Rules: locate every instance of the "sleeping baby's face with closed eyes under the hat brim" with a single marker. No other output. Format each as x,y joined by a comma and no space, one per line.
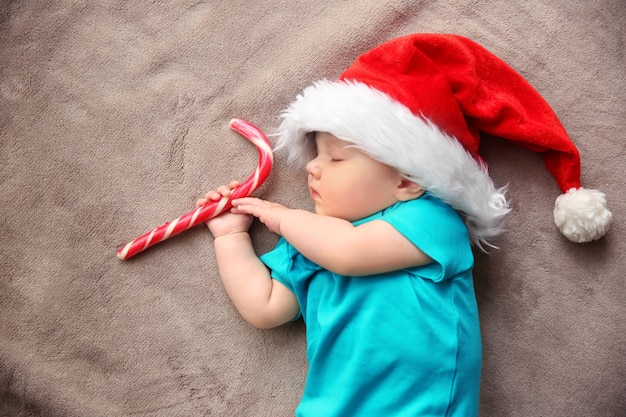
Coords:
346,183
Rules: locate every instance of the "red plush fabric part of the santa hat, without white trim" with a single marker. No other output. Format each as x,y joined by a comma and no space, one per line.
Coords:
463,88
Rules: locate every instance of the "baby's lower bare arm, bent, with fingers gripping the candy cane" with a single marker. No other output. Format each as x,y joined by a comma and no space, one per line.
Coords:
261,300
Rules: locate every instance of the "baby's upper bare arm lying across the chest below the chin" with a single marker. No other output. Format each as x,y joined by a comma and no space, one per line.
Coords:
335,244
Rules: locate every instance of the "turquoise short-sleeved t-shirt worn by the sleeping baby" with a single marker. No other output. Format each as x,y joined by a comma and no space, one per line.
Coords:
404,343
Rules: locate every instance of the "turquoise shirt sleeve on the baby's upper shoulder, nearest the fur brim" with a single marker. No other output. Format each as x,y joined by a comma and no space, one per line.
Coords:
437,230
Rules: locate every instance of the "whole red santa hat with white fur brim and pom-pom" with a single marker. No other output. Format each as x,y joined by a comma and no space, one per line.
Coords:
418,103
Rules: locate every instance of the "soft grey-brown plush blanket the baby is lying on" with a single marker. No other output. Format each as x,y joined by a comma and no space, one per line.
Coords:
114,119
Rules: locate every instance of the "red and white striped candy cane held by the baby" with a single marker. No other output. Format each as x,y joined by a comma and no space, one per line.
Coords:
212,208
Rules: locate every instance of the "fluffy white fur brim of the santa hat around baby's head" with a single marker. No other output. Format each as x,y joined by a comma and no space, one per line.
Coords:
390,133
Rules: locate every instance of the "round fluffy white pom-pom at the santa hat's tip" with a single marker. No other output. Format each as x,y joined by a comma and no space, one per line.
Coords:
581,215
